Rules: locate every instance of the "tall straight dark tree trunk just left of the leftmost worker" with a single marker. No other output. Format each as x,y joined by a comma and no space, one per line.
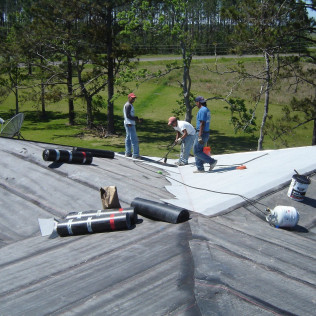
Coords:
110,112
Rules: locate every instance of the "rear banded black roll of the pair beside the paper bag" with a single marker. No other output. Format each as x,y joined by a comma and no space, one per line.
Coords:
99,213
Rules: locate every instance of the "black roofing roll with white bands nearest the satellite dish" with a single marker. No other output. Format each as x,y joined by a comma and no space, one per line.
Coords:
67,156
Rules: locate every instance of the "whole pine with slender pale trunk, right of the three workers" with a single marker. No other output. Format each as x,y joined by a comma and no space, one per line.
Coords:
270,29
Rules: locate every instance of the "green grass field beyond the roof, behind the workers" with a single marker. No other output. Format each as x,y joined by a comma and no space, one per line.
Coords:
155,102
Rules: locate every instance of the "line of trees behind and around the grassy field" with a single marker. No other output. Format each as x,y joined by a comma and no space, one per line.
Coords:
45,44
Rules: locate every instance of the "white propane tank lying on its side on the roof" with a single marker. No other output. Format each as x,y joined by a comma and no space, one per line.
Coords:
283,216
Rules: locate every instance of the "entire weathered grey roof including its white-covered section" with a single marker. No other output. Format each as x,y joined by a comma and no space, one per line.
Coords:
230,262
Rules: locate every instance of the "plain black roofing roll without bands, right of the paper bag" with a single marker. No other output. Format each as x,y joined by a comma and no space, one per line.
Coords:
160,211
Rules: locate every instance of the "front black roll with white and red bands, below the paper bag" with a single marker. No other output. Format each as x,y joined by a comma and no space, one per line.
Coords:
93,224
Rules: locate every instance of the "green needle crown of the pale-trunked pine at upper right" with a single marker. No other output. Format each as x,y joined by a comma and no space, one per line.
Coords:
266,25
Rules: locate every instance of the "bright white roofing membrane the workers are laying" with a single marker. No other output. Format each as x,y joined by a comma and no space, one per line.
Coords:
264,170
